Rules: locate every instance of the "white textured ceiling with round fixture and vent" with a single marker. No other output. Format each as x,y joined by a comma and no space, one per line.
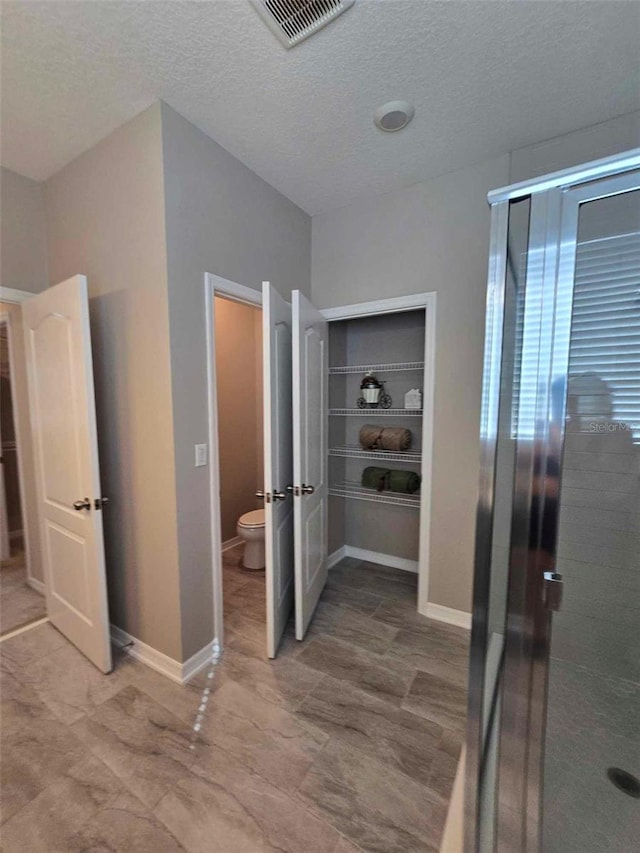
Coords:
485,77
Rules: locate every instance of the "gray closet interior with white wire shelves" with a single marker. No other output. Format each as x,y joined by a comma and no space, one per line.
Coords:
392,347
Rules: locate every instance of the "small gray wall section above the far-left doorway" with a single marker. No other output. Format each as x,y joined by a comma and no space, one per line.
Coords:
23,246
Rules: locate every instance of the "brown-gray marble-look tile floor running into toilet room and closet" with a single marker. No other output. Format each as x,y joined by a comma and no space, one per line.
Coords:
342,744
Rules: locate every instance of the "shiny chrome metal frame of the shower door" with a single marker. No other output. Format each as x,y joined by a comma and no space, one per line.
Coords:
553,232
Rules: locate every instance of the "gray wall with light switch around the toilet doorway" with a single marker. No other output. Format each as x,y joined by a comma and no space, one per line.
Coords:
220,218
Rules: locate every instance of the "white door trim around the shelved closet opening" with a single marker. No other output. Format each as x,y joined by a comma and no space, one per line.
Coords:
413,302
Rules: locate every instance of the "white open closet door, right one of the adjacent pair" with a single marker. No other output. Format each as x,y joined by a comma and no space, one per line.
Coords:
310,460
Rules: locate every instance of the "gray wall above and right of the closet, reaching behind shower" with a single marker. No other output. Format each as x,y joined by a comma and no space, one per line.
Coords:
435,236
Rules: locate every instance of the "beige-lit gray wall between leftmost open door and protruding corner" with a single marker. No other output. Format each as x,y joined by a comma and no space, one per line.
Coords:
105,219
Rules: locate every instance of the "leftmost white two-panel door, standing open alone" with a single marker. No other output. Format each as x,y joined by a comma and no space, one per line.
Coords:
63,419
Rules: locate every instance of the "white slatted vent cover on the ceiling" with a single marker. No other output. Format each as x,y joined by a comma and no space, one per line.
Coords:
292,21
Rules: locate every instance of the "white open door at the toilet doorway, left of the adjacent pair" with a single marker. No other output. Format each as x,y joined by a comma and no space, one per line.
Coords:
278,463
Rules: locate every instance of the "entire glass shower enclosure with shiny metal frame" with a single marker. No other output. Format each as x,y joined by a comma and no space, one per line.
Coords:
553,748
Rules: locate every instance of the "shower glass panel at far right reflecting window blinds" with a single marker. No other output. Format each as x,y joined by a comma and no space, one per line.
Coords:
593,701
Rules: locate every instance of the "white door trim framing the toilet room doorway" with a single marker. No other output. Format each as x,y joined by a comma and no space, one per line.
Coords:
214,284
